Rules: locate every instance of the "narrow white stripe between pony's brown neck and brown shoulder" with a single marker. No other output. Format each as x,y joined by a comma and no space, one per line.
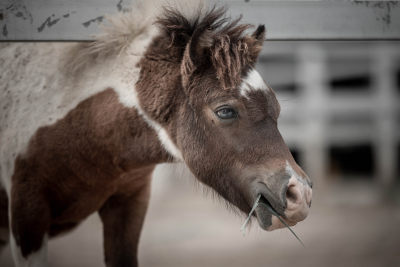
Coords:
129,98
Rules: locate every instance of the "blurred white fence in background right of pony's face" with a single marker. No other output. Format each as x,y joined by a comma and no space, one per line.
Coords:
309,116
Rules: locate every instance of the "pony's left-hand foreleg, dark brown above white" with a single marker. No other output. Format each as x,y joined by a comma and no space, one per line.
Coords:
30,220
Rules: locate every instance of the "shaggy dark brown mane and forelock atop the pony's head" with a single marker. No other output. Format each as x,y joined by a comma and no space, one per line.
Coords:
222,40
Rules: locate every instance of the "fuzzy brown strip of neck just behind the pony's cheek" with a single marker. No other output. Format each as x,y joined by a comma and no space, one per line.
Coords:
160,93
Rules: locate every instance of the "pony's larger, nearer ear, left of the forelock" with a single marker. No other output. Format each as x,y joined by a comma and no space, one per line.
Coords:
195,53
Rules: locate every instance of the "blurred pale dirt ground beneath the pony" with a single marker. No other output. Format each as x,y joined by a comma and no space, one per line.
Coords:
350,224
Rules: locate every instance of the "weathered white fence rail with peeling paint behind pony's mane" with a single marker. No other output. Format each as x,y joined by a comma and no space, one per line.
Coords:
66,20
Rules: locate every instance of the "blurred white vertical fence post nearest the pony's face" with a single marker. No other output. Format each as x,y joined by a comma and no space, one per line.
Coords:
311,77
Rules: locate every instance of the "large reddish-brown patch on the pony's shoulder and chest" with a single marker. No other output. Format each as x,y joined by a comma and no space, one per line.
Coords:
74,166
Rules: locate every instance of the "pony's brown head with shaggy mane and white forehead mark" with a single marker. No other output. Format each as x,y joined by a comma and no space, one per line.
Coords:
220,114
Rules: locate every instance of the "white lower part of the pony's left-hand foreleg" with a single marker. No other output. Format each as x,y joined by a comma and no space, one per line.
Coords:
35,259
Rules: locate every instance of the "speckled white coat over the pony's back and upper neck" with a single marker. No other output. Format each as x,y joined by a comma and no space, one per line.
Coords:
34,92
